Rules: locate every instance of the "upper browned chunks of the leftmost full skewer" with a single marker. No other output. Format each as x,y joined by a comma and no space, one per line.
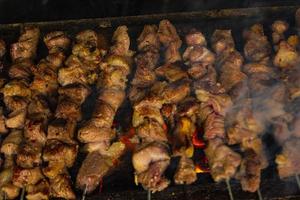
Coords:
16,92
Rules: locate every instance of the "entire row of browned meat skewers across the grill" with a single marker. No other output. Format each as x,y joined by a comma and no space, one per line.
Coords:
233,97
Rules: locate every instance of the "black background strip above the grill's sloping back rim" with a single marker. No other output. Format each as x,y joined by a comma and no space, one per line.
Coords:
13,11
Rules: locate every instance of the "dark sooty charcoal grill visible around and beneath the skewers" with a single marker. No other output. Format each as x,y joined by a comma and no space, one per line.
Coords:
120,184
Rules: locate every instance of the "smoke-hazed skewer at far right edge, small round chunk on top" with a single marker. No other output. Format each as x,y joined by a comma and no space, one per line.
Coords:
285,59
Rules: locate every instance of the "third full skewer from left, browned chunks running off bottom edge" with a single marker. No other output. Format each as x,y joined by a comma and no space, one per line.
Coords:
83,63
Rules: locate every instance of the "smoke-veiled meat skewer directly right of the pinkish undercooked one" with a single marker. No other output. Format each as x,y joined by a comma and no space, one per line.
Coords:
241,126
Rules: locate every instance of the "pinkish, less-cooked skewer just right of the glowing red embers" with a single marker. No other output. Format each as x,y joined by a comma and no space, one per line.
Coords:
214,104
